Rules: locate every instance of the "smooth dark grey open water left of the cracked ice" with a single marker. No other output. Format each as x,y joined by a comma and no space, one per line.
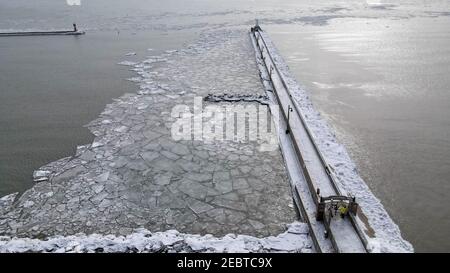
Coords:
51,87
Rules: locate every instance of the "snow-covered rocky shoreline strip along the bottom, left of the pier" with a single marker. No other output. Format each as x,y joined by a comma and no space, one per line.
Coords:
294,240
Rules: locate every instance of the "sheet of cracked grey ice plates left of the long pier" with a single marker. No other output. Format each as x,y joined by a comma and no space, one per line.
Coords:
134,175
